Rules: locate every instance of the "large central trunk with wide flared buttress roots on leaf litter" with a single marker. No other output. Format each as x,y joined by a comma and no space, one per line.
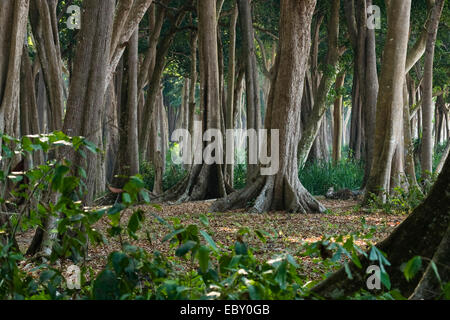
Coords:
283,190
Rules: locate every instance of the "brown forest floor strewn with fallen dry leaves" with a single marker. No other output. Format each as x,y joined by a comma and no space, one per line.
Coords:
287,231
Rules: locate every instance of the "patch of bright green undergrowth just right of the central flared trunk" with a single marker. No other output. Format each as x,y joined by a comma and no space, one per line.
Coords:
318,177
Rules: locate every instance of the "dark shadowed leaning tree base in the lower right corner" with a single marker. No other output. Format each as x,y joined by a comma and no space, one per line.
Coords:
424,233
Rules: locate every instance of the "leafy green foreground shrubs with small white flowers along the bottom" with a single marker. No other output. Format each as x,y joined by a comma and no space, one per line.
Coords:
215,271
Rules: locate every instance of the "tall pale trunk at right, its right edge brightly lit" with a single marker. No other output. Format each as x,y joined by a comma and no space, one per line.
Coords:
390,99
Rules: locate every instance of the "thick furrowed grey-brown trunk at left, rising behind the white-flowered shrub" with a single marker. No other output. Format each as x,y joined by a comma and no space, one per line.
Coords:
85,102
